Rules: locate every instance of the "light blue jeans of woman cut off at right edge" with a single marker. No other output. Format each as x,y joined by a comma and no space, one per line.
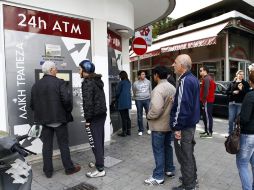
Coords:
243,158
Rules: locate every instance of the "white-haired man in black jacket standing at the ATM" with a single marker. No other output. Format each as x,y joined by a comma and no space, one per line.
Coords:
51,101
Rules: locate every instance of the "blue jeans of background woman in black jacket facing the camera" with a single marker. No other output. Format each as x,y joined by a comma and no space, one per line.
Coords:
234,110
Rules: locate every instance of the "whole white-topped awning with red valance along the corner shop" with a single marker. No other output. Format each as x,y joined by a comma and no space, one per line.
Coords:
203,37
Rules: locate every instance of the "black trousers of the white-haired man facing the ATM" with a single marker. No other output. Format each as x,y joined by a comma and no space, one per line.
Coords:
63,144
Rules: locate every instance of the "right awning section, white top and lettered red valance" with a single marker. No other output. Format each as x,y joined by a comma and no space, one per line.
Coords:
203,37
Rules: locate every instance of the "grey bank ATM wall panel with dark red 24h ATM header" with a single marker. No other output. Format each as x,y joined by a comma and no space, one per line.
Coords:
32,37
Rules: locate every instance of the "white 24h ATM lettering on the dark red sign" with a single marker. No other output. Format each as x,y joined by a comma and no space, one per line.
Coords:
38,22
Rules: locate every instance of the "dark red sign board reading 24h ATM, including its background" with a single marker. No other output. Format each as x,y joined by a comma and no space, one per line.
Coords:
32,21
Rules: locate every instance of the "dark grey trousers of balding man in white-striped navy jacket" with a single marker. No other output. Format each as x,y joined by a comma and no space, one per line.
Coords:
184,150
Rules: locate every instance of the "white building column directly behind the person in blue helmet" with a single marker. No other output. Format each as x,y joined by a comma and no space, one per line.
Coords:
100,59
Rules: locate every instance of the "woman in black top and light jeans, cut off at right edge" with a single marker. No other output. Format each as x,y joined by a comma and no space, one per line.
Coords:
246,154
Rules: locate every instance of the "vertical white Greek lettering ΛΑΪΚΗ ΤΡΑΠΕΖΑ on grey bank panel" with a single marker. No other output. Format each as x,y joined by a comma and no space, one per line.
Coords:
21,80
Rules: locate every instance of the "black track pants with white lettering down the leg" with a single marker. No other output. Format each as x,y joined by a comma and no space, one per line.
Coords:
96,136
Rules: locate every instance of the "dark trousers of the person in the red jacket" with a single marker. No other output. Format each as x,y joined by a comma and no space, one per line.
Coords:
207,116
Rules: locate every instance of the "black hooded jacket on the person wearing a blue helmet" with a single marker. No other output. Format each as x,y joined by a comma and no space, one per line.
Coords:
94,103
